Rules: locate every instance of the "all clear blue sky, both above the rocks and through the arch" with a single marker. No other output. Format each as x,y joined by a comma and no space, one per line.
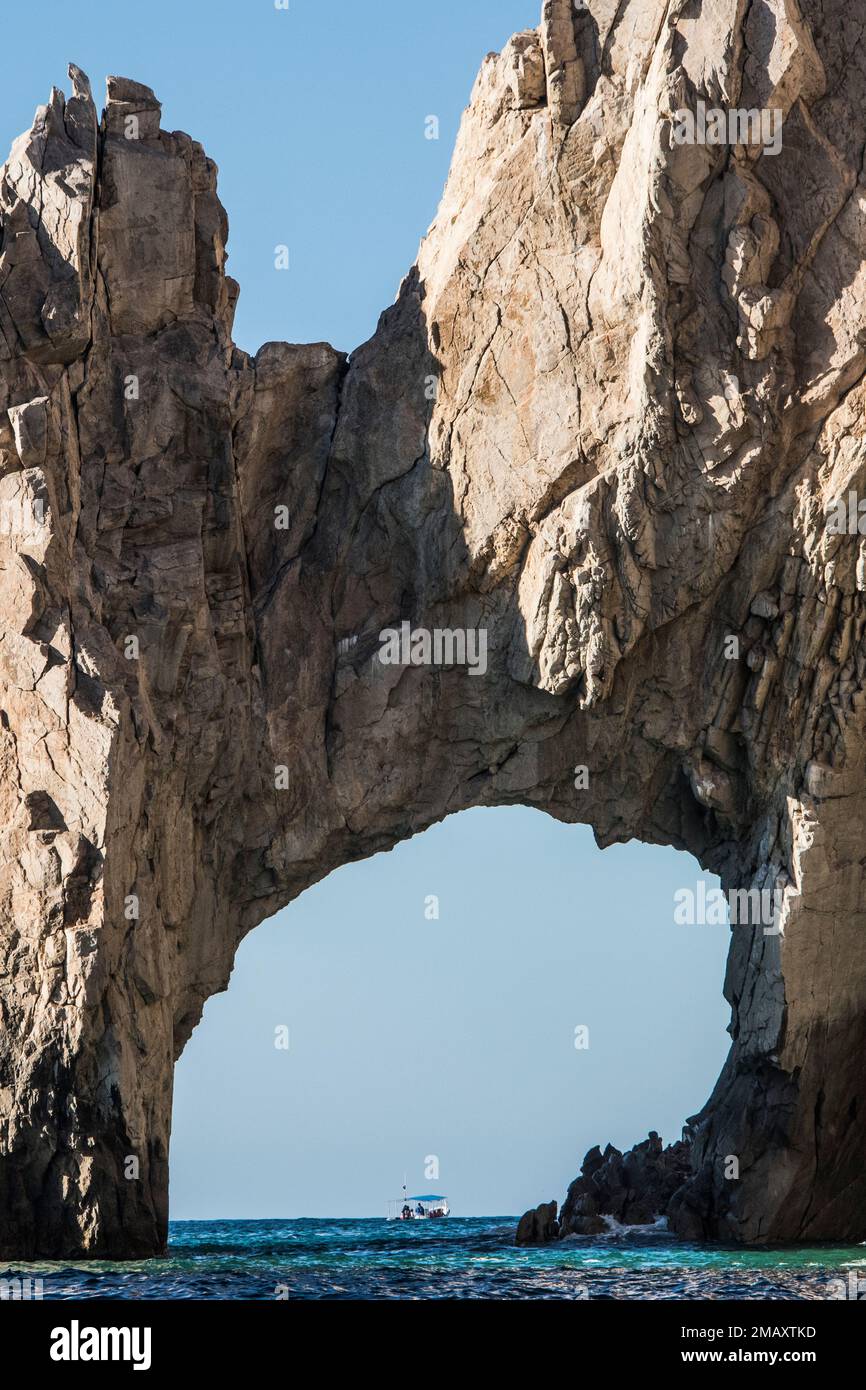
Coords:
408,1038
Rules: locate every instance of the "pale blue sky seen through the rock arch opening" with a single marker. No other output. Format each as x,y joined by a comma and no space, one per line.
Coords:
477,1008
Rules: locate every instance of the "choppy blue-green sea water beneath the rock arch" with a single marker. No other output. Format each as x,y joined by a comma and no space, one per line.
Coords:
452,1259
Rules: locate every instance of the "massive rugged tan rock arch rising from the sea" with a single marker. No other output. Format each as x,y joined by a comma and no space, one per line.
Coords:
604,423
